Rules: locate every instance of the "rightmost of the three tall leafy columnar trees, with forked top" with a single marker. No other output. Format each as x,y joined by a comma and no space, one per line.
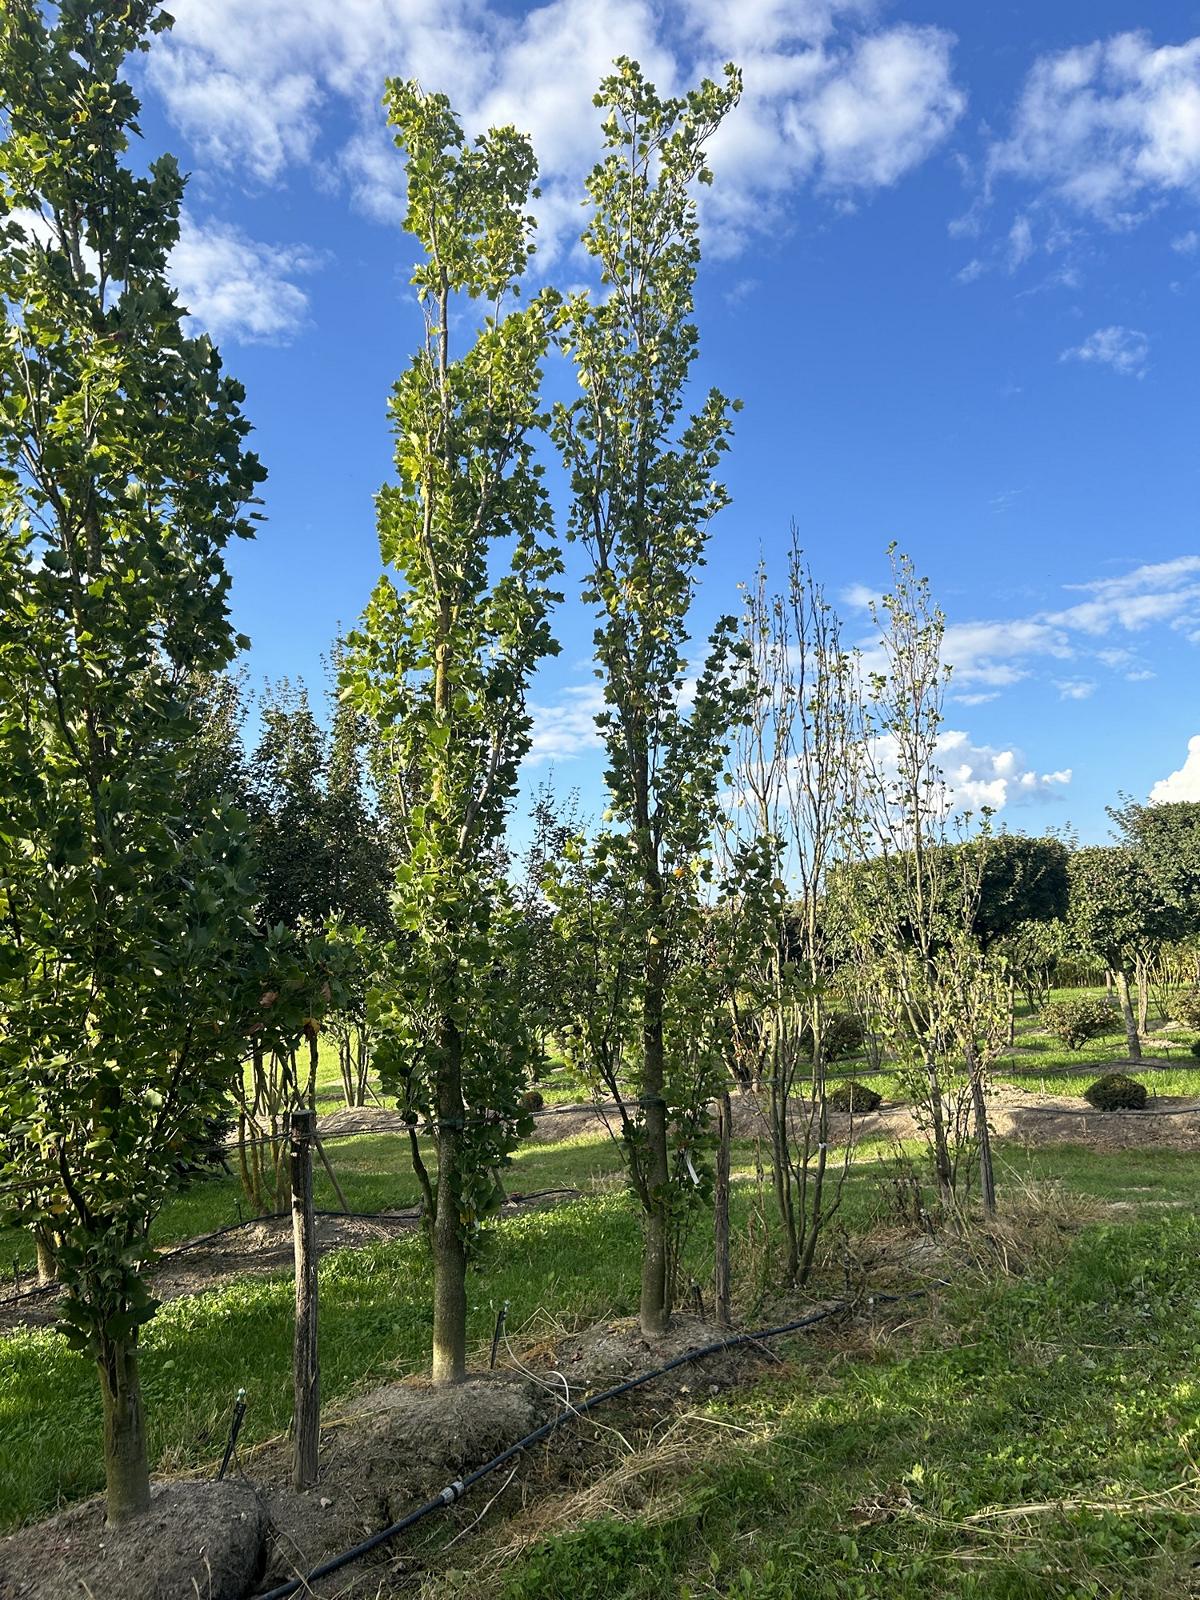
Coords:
642,500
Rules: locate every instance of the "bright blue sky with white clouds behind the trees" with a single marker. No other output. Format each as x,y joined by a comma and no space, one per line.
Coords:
953,270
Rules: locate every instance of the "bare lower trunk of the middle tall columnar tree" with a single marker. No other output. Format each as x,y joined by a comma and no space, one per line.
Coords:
450,1254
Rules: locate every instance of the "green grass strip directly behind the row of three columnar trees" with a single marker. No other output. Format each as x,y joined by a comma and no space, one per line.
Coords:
578,1262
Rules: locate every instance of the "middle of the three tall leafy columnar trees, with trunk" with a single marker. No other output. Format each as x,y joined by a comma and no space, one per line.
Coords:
442,663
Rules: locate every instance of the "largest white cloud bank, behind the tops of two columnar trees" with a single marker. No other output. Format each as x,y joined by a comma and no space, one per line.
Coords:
260,89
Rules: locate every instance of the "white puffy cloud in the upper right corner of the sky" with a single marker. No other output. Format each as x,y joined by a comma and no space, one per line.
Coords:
1110,129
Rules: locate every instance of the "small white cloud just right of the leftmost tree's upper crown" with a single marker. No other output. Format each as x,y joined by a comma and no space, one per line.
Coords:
239,289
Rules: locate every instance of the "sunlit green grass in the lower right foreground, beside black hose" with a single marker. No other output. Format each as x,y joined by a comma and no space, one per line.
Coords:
1078,1385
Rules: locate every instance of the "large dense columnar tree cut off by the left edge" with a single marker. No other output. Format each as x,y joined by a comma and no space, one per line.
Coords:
124,474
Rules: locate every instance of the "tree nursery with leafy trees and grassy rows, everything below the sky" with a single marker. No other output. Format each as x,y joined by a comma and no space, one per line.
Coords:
783,1182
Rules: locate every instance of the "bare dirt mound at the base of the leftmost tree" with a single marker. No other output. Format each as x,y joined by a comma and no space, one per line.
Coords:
199,1542
